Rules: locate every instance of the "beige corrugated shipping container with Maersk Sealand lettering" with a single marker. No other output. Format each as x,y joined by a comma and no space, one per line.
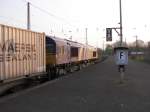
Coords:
22,53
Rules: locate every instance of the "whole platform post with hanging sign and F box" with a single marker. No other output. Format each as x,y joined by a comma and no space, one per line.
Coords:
121,53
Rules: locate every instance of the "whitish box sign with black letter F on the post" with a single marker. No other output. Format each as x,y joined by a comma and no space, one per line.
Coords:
121,57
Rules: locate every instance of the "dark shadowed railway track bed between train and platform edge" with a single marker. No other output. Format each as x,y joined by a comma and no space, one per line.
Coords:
27,83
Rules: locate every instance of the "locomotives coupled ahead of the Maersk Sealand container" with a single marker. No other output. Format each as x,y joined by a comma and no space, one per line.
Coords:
62,54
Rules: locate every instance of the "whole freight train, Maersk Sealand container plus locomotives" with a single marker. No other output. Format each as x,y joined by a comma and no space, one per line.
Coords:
25,53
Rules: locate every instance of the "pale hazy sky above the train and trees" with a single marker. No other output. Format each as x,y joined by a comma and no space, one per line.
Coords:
69,18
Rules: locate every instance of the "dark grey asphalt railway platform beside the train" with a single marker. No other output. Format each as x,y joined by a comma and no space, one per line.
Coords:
93,89
